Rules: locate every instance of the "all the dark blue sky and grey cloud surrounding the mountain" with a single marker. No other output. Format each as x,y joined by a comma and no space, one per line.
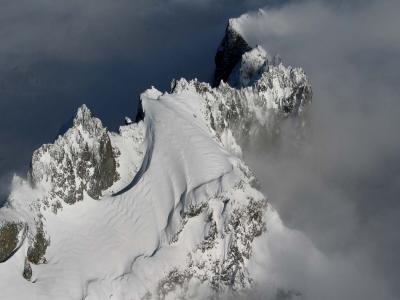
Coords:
340,189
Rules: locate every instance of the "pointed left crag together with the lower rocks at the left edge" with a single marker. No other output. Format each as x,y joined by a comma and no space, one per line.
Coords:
80,161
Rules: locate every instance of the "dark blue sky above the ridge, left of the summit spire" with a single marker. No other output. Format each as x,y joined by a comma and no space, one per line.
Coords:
56,55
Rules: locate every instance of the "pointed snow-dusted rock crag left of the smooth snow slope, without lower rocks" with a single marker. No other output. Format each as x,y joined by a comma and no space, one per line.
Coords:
82,160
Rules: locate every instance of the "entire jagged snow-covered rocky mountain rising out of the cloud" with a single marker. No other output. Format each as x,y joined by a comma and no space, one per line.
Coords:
166,207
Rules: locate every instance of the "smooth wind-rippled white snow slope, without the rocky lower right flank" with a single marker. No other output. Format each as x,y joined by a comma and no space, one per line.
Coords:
122,246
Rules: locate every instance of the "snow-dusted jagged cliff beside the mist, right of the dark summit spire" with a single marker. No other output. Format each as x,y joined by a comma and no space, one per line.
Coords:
267,93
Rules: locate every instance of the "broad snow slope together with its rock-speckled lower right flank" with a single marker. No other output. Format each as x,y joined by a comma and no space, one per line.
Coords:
189,219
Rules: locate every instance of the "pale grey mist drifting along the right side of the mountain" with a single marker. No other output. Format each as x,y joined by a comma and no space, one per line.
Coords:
340,185
